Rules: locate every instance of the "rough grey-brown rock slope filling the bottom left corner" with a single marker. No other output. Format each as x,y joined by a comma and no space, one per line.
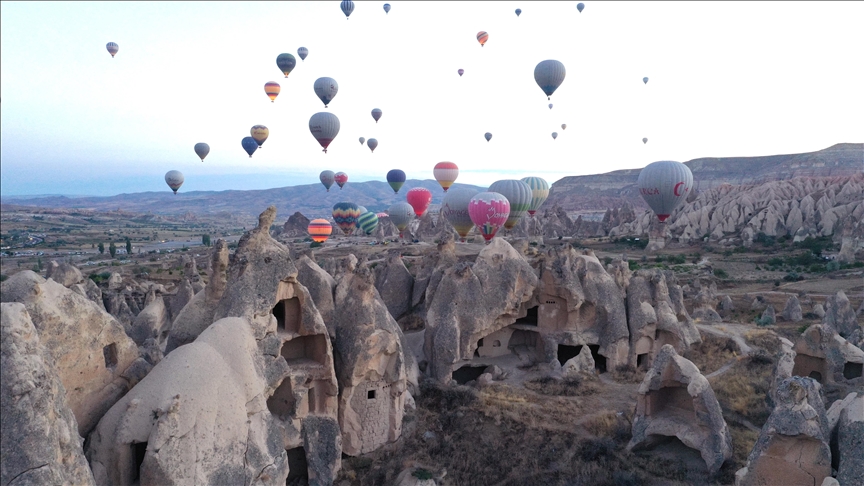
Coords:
40,443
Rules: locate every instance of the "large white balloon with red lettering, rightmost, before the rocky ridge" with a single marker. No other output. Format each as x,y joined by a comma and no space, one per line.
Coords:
664,185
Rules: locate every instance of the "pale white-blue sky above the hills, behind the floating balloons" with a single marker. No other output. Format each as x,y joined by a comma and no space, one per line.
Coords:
725,79
